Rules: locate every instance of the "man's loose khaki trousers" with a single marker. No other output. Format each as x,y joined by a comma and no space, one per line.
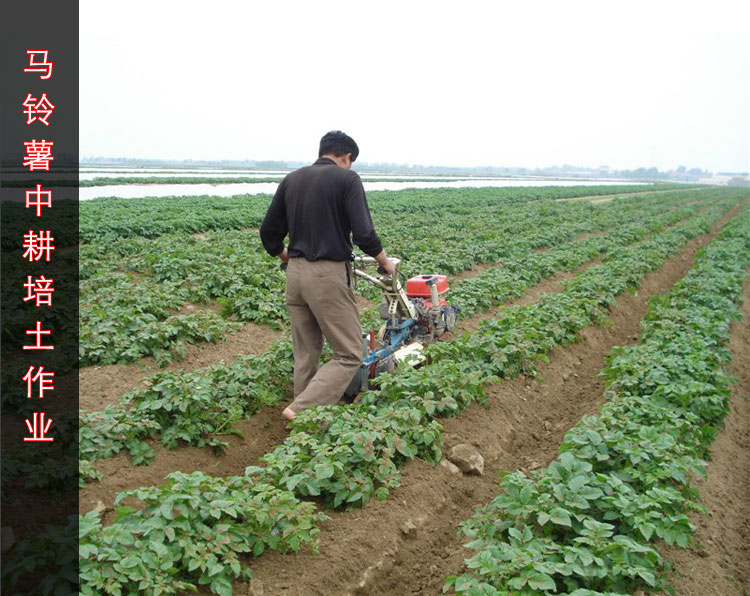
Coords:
321,304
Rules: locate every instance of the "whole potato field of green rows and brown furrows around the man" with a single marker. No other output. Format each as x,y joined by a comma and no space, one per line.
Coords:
597,374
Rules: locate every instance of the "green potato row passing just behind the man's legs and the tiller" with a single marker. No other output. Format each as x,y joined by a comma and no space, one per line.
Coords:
182,405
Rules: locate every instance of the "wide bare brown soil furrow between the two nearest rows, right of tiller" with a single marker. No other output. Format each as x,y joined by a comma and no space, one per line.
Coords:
365,551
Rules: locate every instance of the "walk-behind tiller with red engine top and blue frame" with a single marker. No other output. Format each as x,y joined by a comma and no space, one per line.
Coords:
413,318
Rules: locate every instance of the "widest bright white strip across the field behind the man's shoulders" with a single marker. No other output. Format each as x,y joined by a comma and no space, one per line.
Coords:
131,191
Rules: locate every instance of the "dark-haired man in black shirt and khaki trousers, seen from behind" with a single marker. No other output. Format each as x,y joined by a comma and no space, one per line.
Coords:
319,206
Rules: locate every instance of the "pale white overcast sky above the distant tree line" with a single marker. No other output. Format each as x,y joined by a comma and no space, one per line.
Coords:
491,83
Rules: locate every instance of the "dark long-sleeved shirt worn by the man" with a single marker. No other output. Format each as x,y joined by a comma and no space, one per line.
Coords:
319,206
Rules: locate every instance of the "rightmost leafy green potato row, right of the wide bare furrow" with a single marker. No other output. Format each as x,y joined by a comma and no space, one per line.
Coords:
587,523
